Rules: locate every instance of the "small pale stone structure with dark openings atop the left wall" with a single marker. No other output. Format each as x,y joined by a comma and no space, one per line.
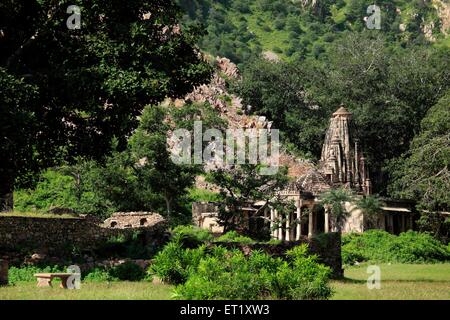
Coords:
124,220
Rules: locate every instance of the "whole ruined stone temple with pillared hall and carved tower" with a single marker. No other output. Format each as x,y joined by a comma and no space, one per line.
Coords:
342,164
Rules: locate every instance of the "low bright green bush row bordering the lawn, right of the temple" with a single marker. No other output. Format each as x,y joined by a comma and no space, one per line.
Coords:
380,246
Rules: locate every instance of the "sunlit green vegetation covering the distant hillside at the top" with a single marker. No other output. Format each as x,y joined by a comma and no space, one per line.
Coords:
295,30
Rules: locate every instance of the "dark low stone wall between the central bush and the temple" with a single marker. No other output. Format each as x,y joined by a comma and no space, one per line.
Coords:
326,246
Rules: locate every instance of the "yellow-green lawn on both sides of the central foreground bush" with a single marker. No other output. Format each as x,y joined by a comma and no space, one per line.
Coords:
398,281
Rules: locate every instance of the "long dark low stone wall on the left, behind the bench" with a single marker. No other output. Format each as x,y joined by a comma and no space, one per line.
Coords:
62,236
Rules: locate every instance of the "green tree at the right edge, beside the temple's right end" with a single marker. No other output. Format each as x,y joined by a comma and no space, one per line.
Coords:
422,173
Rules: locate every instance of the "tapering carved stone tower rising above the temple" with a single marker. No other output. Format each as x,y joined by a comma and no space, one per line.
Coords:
342,162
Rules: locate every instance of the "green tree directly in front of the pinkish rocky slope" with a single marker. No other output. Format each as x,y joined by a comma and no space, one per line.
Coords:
154,169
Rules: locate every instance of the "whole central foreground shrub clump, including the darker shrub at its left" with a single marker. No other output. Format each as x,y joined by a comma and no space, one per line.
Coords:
218,273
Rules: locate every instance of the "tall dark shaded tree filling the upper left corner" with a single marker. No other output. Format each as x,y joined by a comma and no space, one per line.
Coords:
75,89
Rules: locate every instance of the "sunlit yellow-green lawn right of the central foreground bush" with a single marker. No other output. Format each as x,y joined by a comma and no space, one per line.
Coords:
398,282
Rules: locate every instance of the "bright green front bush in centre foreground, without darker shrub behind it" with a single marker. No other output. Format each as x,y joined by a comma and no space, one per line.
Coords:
229,274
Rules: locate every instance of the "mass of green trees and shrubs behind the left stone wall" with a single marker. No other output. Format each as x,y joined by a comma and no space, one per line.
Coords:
142,177
